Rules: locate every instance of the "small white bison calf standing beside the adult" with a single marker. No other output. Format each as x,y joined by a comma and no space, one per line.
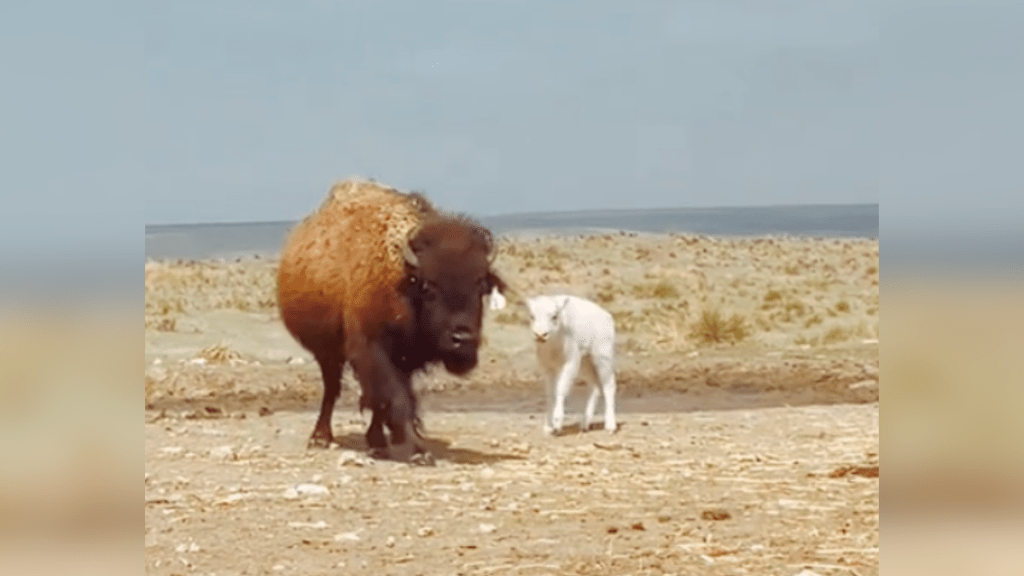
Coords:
575,337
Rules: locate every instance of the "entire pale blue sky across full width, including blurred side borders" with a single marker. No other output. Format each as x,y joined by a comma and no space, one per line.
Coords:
116,111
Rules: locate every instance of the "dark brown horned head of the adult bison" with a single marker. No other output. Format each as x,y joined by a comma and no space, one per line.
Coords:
448,275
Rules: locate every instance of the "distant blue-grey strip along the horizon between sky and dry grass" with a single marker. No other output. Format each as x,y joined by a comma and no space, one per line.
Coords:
246,239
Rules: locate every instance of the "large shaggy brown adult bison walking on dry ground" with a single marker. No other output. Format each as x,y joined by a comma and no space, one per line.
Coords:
385,281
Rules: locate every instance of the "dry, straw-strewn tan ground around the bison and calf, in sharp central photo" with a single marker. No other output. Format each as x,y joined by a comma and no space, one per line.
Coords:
749,387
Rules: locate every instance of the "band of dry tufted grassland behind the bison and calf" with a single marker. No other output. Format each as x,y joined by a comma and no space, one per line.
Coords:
786,292
